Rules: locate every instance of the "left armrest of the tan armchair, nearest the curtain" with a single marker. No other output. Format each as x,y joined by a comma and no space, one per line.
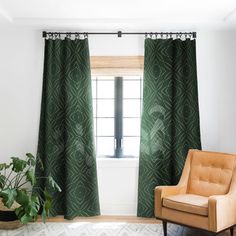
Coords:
165,191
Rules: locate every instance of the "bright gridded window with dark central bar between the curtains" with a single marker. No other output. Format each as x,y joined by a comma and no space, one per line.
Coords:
117,104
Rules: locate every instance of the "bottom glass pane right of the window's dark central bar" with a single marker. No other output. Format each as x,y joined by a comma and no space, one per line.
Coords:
131,146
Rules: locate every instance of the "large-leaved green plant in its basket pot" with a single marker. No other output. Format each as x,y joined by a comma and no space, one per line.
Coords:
21,199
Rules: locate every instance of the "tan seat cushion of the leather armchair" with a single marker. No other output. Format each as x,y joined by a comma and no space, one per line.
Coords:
190,203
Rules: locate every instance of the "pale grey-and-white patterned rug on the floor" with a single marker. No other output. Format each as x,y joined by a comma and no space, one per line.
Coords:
100,229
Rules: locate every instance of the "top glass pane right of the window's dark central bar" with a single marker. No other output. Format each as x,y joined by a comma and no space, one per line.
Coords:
131,89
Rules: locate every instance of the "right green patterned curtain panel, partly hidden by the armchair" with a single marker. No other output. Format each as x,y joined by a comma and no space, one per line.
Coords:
170,116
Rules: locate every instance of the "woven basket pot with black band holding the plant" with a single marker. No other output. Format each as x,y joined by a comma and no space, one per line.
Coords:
8,218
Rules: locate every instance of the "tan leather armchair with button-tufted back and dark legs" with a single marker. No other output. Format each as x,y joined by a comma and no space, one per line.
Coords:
205,196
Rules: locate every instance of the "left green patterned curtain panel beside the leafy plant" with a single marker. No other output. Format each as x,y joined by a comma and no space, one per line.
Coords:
66,141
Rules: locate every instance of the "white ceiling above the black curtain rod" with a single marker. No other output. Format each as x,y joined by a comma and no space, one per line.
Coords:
129,15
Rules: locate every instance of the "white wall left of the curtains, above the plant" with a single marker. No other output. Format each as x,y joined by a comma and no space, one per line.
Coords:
21,63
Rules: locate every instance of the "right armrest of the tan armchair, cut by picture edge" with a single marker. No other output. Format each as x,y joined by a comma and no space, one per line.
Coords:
222,211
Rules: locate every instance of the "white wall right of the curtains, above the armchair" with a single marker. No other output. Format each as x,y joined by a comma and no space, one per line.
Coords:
217,90
